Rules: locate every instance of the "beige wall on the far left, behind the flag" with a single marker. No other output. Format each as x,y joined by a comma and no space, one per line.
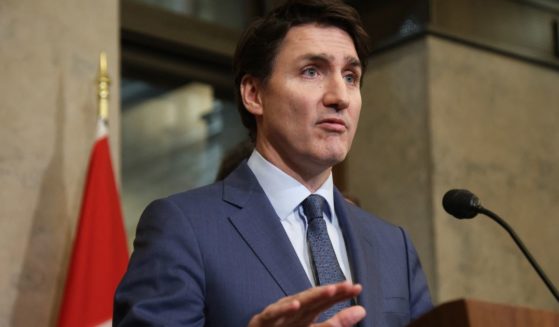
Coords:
48,64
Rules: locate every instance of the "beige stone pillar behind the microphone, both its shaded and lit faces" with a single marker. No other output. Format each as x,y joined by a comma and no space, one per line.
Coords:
439,115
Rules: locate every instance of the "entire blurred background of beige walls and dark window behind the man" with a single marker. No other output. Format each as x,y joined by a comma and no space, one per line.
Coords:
458,94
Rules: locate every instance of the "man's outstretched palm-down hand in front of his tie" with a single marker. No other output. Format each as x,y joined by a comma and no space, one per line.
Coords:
302,308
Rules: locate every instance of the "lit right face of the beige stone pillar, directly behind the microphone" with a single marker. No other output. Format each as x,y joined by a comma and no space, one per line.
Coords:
494,131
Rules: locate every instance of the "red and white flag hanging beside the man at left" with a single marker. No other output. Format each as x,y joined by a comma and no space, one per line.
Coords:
100,252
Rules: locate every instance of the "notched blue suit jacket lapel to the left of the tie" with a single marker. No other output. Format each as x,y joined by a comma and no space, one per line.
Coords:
261,229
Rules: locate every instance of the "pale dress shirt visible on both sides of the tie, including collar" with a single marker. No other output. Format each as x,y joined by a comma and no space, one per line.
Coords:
286,195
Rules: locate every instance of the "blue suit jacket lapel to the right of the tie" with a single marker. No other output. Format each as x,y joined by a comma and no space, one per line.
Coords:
363,258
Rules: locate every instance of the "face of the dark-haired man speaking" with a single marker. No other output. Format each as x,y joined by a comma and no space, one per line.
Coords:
307,111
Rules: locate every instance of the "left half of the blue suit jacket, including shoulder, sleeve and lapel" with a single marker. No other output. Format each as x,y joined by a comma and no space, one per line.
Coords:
213,256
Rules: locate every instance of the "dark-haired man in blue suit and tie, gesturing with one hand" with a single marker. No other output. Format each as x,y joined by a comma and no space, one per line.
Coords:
244,251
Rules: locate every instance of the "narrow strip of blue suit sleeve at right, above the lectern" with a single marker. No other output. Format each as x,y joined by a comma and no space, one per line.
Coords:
420,299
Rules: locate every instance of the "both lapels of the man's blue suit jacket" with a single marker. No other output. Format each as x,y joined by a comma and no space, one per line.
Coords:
260,227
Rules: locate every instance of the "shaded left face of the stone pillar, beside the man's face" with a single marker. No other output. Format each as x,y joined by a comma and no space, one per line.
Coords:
389,164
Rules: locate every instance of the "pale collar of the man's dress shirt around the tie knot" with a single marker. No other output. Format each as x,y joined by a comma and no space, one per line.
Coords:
285,192
